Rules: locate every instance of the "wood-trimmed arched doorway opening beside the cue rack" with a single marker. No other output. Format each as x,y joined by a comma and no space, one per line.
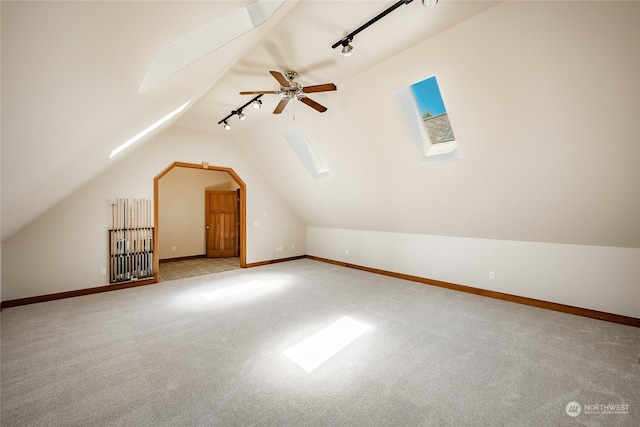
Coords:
182,224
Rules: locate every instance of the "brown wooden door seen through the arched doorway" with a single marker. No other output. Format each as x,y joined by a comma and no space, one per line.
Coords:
222,224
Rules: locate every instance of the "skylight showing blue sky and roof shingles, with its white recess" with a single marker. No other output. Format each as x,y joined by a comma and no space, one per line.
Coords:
428,121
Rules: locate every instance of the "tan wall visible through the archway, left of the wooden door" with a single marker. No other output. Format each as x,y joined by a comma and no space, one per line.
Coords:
181,209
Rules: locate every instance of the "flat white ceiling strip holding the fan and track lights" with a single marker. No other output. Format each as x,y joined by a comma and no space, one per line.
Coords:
302,42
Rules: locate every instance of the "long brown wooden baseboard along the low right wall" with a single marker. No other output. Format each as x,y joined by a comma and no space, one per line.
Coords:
578,311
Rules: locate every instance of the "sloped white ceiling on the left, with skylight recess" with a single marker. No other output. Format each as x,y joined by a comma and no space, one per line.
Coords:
71,74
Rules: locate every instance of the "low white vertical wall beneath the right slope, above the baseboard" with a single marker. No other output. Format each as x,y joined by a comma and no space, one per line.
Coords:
594,277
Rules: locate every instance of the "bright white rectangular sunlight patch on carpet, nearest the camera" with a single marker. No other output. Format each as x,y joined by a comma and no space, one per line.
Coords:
316,349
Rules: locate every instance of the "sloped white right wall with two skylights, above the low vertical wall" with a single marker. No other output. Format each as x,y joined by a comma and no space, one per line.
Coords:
544,99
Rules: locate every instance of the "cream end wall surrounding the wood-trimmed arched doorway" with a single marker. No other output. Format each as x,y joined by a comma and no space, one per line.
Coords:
63,249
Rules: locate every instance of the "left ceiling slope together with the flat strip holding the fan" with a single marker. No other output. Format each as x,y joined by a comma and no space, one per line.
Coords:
71,73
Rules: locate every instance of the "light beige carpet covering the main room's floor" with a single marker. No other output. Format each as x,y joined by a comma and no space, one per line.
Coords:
163,355
